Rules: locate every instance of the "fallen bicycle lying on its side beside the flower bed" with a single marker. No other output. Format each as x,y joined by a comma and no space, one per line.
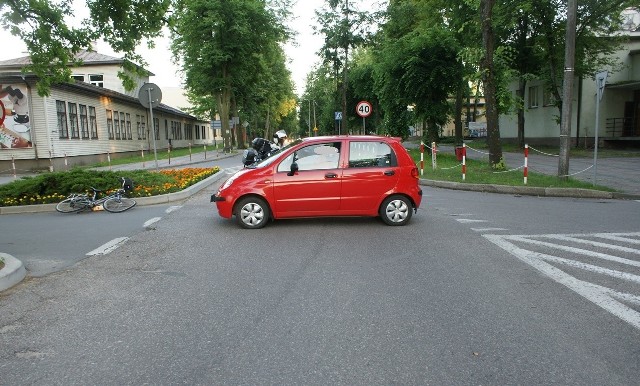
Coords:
115,202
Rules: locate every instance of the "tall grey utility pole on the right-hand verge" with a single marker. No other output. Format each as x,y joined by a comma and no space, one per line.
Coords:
567,89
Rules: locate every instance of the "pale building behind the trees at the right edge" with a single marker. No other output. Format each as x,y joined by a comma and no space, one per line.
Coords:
619,118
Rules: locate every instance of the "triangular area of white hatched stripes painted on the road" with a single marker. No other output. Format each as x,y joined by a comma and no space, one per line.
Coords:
602,267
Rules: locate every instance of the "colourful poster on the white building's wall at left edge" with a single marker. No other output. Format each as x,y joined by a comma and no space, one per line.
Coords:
15,125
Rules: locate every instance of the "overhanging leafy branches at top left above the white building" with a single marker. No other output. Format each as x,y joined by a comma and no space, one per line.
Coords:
52,43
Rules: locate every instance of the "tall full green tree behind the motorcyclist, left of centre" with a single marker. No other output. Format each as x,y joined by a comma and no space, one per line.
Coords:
222,44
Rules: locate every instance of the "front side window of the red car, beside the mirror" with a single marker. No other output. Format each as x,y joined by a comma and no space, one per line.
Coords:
313,157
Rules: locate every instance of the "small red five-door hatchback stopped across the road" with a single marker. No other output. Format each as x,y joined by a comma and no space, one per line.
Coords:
325,176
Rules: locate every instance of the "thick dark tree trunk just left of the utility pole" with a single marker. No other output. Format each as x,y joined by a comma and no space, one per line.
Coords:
489,80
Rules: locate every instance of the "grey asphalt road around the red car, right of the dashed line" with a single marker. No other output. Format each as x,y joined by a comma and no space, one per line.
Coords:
460,296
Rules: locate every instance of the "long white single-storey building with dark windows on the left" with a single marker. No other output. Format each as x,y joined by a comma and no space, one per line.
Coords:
86,121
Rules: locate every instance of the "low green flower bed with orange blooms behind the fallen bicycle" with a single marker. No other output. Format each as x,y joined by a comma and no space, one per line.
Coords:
54,187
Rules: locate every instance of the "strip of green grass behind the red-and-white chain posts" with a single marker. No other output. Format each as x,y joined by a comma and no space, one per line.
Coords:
479,172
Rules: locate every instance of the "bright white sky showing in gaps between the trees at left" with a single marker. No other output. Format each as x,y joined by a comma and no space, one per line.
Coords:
302,56
